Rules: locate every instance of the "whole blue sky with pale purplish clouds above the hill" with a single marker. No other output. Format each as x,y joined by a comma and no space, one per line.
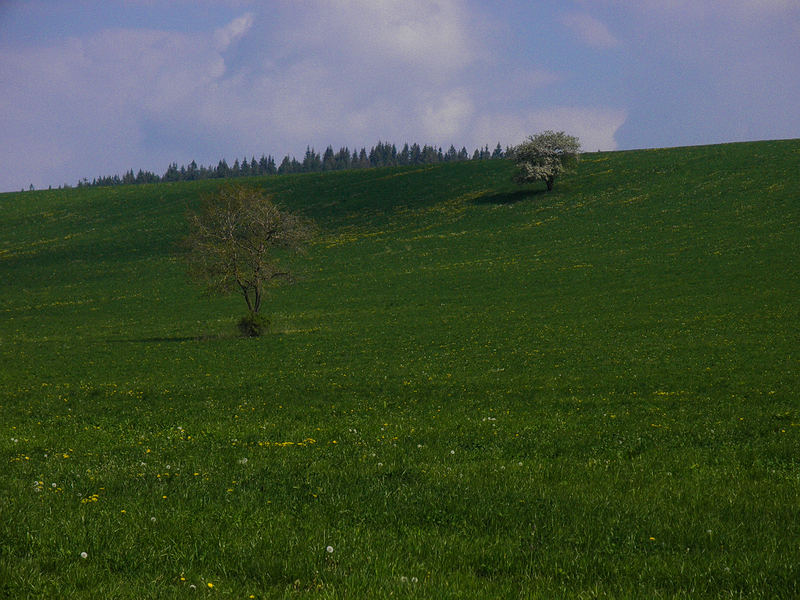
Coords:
90,88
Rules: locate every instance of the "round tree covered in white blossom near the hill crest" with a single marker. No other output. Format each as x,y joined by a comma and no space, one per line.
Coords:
545,156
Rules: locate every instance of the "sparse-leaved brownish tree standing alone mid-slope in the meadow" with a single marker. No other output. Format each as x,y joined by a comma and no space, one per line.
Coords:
239,241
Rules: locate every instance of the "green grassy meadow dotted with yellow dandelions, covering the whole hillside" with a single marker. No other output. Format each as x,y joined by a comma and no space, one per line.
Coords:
473,391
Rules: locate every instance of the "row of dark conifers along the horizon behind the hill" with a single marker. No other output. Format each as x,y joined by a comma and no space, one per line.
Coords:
381,155
